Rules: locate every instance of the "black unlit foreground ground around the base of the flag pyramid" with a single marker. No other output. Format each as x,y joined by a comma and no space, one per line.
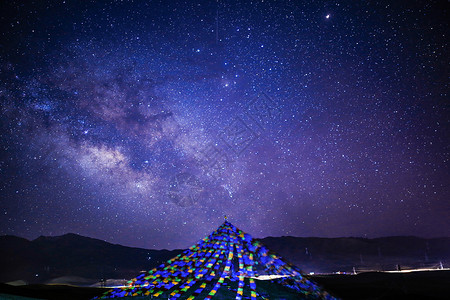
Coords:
415,285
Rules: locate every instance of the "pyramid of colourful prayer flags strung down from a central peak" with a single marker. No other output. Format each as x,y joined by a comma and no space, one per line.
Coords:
227,259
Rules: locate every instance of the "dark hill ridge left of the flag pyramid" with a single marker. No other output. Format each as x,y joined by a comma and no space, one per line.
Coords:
46,258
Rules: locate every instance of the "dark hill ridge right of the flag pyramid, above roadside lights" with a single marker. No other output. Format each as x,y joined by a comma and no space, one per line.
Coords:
342,254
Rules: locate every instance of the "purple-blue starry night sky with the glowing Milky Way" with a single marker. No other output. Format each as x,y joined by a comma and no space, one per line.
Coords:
145,122
